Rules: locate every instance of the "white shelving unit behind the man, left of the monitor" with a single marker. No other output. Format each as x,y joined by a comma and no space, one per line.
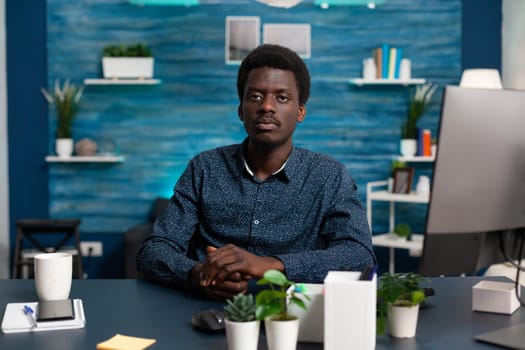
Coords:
378,191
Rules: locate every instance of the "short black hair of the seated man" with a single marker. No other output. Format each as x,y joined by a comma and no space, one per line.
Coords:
279,57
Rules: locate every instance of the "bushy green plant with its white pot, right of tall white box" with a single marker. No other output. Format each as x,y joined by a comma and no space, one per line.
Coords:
399,296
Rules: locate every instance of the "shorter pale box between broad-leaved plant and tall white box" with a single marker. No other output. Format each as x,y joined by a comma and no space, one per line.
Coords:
311,320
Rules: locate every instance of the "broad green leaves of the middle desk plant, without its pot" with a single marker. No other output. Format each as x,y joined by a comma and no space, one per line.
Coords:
282,295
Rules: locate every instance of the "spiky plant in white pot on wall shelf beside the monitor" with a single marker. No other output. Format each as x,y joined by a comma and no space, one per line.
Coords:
418,102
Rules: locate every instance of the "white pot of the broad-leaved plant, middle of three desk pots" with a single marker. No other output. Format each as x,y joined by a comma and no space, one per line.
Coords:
281,335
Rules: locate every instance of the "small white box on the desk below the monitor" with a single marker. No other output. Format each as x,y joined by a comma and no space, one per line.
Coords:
497,297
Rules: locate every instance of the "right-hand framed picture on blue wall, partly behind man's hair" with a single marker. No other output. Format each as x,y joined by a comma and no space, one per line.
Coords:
296,37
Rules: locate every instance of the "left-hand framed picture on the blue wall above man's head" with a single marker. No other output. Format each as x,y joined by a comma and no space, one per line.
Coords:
243,34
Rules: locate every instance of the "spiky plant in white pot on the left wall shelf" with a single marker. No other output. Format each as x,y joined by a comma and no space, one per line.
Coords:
66,99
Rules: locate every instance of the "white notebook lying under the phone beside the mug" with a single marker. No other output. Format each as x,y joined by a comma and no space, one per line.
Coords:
16,321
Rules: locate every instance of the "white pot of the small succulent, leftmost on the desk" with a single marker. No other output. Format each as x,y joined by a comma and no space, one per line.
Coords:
242,335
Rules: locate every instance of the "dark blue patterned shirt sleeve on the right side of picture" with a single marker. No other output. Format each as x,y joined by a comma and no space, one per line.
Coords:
345,237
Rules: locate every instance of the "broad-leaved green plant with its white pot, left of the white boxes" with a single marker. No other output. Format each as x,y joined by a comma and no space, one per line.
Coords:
273,306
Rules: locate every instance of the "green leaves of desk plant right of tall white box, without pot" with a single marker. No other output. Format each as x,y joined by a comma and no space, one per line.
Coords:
398,289
